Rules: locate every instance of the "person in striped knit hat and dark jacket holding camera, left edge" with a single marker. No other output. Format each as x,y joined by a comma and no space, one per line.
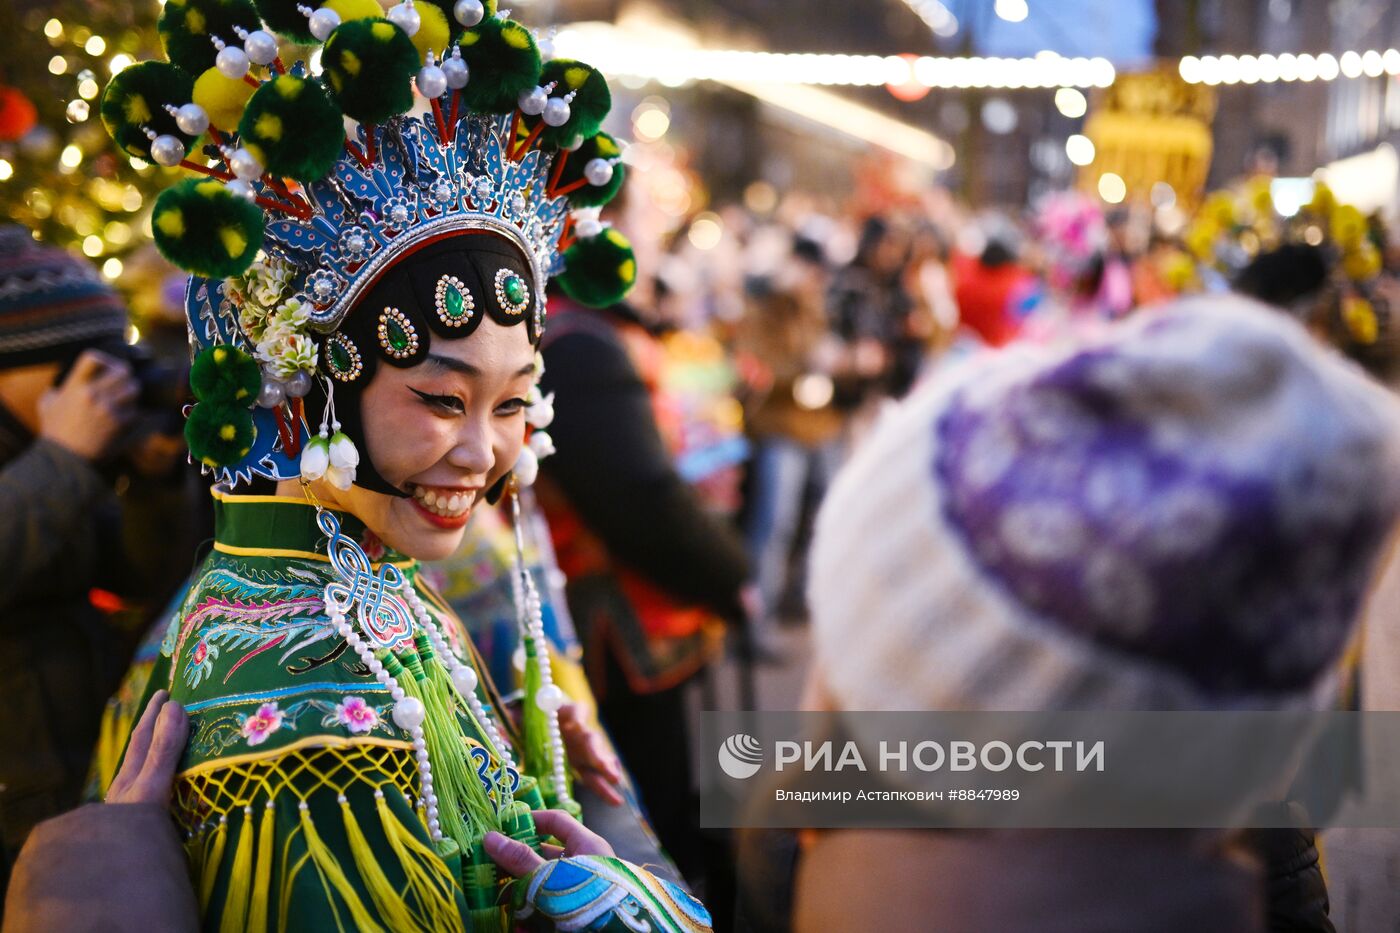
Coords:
58,661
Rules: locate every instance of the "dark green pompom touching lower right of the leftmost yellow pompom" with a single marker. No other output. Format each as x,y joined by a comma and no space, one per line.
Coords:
293,128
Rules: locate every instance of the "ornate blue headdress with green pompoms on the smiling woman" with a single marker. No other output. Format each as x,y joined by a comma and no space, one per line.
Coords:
309,246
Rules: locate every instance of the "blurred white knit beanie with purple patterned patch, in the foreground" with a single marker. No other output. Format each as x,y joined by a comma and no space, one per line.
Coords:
1182,515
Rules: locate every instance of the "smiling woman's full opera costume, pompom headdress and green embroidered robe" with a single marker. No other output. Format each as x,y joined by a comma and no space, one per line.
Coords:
348,752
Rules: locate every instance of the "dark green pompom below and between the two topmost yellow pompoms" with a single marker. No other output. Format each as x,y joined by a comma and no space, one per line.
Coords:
370,65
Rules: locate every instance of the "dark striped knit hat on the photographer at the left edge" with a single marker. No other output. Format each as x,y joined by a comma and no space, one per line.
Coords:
52,305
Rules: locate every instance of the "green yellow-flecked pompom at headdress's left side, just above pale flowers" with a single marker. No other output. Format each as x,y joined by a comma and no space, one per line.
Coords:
204,228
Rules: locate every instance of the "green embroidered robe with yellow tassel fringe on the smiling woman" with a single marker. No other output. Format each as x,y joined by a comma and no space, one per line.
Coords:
297,794
